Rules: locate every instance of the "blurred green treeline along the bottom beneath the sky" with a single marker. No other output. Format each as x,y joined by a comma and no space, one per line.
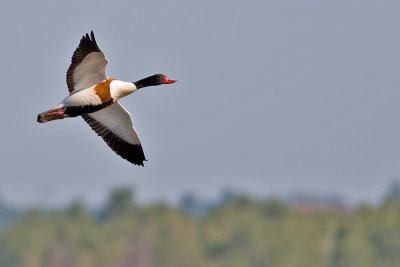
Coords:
238,232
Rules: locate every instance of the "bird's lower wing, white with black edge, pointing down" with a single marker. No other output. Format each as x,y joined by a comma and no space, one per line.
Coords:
114,125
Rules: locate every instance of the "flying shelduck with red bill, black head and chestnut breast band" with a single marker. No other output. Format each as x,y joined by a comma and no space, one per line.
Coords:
94,96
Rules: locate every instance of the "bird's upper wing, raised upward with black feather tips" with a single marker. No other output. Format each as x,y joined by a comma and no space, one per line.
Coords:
88,65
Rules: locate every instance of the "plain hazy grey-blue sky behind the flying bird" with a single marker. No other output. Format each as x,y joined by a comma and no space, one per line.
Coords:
272,97
